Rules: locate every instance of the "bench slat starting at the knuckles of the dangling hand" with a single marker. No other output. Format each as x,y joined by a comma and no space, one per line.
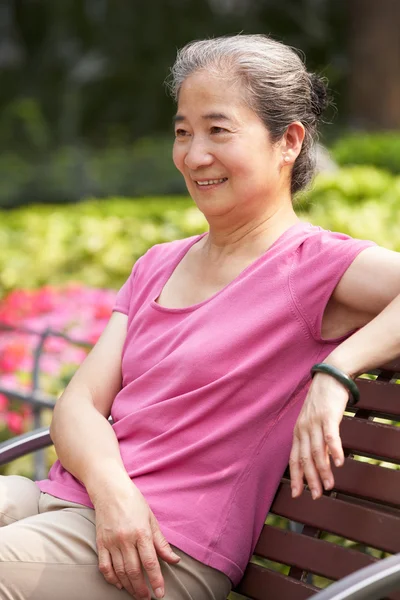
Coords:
371,439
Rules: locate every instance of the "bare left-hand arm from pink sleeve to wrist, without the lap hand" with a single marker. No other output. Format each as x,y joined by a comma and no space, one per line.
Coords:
81,414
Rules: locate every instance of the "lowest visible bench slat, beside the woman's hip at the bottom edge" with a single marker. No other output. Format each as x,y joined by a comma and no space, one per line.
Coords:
259,583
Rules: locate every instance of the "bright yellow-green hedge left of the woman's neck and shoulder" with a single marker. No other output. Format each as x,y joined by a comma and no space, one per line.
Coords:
93,242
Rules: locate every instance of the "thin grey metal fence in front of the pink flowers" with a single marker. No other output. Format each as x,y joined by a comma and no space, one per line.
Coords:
35,397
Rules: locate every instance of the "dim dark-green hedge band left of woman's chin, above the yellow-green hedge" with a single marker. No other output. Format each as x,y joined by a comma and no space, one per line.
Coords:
71,173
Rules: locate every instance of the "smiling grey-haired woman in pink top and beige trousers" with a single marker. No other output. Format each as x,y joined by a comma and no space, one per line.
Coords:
205,363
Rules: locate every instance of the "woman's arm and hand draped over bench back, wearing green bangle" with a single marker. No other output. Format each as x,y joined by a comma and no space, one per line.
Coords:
371,286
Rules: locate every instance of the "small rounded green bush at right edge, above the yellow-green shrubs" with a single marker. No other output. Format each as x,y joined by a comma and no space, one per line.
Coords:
377,149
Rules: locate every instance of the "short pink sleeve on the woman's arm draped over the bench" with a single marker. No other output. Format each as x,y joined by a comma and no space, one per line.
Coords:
319,264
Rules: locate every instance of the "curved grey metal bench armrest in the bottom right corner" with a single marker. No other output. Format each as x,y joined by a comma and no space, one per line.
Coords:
371,583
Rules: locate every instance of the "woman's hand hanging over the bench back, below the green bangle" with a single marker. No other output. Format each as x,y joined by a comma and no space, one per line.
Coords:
316,436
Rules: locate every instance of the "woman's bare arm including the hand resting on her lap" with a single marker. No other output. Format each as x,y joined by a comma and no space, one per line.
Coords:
87,447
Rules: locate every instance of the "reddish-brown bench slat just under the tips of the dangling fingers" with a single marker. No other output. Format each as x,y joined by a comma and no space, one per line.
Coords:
368,526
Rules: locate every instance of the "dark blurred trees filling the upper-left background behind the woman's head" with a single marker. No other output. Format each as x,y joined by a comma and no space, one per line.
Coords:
94,70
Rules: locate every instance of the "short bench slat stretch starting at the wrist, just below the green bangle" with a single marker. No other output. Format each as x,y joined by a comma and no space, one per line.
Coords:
379,397
